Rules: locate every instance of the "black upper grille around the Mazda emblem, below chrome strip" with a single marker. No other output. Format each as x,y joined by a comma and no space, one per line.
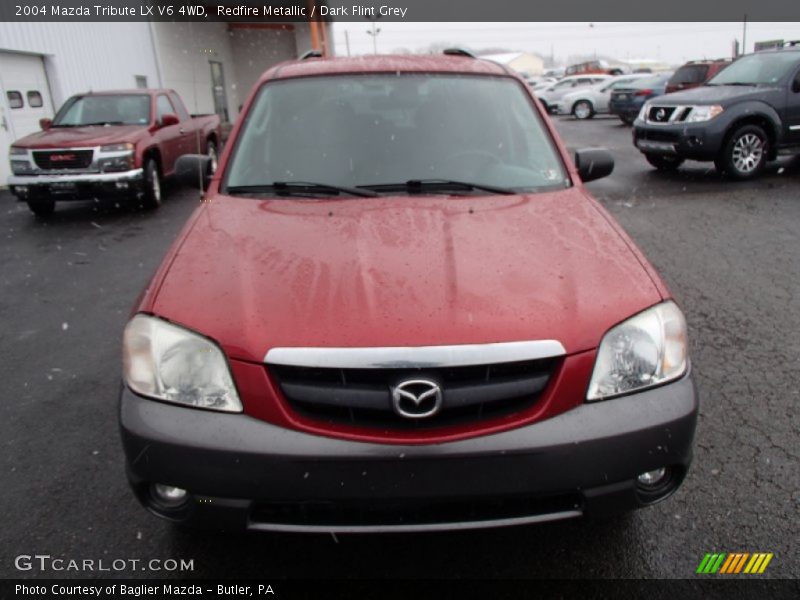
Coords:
363,396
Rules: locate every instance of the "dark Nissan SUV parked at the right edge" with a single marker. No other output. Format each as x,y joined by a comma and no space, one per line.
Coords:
743,117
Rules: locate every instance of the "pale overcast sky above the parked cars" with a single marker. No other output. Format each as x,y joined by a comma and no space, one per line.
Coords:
670,42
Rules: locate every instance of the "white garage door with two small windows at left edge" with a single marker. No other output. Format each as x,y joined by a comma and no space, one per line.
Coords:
25,99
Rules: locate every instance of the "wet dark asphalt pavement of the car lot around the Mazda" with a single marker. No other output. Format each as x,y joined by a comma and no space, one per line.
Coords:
730,253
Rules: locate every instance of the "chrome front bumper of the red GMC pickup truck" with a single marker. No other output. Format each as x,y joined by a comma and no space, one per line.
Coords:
69,186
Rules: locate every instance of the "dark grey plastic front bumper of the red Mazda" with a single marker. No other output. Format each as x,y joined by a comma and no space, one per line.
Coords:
243,473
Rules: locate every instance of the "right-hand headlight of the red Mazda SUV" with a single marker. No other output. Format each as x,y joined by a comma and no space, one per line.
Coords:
646,350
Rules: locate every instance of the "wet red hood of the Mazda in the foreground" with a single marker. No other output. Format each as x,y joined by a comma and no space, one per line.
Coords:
402,271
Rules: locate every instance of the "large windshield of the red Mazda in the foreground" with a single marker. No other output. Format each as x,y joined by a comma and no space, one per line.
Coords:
384,129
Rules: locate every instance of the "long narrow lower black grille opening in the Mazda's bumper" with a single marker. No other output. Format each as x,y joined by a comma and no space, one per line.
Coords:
377,512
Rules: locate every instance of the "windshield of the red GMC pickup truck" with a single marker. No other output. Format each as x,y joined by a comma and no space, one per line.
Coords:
132,109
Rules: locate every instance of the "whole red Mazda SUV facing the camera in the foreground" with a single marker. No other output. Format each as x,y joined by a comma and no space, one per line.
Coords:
399,308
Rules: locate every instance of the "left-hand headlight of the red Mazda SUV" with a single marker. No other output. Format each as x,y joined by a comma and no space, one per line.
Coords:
167,362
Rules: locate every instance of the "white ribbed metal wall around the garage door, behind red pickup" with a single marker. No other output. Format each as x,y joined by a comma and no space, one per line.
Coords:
76,56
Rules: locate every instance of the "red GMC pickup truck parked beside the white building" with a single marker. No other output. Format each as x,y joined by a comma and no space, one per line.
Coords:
102,143
